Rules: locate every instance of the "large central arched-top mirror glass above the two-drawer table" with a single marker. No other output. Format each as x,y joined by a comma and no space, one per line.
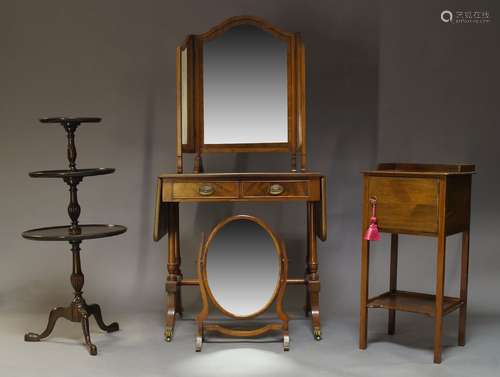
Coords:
245,88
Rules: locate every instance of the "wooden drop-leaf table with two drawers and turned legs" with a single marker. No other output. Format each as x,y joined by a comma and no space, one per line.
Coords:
306,187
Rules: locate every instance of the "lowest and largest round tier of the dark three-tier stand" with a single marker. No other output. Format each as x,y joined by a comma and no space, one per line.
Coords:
61,233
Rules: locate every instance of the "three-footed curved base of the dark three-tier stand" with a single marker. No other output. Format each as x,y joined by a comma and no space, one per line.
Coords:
78,311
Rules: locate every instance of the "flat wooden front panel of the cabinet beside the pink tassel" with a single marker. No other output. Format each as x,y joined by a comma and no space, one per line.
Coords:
406,204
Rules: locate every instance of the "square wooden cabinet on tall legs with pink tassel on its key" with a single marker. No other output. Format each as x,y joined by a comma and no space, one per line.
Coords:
419,199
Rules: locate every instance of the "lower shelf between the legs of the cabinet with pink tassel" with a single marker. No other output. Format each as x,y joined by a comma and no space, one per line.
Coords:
413,302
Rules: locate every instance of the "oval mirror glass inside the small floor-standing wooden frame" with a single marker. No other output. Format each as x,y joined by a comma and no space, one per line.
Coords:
242,267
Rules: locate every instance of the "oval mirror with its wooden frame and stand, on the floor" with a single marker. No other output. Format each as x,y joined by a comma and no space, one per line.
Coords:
242,269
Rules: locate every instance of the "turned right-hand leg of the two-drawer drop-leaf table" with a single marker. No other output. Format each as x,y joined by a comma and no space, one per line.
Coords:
313,285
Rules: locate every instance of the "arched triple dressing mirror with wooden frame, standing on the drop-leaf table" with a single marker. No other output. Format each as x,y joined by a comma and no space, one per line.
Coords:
240,88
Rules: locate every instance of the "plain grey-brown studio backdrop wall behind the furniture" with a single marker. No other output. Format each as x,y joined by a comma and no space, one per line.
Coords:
387,81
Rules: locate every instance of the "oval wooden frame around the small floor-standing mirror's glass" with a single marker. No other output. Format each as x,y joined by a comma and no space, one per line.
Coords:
282,268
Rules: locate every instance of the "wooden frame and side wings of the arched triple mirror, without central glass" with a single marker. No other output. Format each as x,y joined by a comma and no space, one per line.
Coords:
189,60
